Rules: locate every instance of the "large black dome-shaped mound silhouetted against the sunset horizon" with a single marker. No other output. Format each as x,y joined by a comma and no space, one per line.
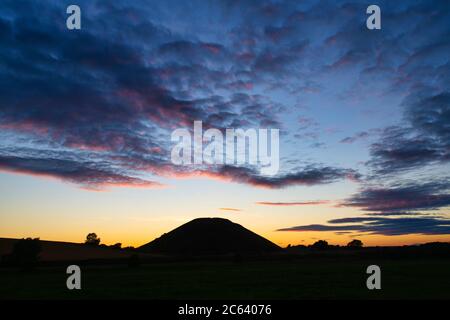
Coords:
209,236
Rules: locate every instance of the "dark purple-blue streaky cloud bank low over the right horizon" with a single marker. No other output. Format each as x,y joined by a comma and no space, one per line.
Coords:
398,209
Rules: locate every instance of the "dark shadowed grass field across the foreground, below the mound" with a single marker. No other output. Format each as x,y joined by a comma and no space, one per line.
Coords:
298,279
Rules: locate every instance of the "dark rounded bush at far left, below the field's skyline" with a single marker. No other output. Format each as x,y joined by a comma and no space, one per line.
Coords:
25,254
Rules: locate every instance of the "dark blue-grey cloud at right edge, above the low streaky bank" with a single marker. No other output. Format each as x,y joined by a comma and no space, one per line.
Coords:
425,141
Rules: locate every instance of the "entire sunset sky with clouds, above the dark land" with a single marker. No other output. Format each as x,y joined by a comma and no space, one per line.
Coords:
86,118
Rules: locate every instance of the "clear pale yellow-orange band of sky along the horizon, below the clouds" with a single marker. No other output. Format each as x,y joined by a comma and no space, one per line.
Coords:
63,212
